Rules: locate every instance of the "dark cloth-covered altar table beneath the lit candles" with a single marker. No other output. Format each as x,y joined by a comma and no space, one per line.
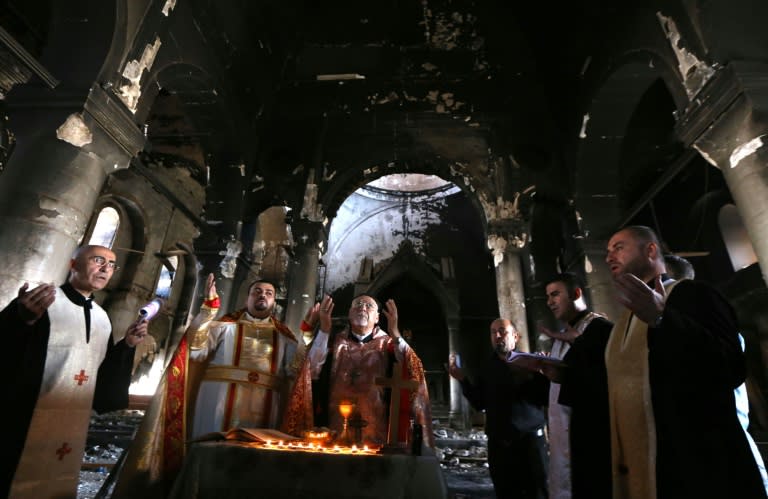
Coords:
229,470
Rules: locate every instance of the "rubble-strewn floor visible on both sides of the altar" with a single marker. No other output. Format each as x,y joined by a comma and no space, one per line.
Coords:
462,457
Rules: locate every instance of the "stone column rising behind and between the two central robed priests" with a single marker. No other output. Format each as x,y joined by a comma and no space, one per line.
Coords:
302,275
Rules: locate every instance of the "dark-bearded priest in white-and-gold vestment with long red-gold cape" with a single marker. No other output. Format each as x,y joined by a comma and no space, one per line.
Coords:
237,371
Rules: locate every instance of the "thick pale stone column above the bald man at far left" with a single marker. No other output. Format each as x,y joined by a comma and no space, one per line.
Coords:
50,186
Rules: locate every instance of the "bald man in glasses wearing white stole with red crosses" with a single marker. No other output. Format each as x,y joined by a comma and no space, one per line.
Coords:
57,340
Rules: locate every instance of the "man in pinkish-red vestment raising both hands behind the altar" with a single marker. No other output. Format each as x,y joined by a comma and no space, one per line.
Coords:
346,365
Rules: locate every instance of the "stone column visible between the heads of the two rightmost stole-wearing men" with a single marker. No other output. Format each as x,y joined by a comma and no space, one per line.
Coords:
601,295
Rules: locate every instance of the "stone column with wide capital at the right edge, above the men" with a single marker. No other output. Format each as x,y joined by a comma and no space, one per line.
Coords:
727,124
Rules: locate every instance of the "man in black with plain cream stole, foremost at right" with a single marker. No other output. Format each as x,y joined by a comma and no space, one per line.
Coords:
673,360
